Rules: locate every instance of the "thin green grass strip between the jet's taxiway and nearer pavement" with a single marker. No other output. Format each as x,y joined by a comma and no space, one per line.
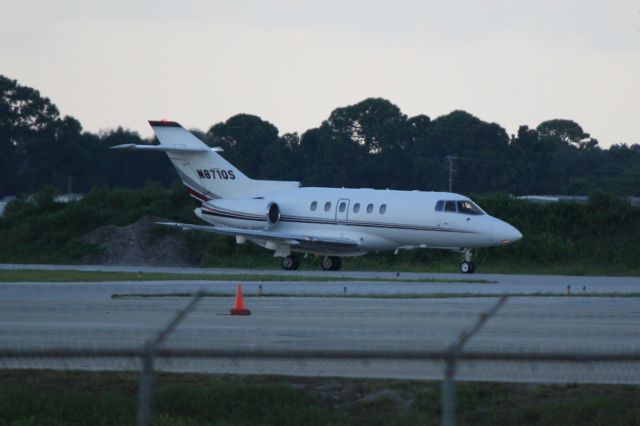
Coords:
23,275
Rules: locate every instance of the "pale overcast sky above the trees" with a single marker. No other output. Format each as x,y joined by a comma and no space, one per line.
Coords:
292,62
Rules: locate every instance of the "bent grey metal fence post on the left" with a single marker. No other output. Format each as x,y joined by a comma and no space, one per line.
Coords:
145,392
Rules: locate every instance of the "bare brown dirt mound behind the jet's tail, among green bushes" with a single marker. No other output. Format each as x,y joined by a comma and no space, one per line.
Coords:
141,243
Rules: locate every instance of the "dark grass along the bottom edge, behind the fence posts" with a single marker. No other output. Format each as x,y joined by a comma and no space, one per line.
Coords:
55,398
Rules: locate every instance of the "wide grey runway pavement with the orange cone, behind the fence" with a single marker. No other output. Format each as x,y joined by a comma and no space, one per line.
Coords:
41,315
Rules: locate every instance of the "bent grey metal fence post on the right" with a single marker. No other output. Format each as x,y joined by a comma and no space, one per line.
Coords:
448,382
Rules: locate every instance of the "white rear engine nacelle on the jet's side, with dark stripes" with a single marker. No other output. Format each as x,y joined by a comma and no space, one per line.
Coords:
241,211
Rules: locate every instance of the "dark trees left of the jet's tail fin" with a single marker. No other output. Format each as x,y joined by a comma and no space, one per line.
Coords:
39,147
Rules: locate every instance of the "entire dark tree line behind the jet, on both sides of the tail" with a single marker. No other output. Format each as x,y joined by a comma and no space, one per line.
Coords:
370,144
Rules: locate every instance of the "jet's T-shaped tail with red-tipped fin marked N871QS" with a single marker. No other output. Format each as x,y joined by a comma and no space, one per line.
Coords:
203,171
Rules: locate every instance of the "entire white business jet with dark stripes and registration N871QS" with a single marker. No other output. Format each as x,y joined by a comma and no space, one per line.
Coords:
329,222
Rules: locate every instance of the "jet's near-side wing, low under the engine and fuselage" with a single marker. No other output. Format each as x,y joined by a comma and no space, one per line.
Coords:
308,242
